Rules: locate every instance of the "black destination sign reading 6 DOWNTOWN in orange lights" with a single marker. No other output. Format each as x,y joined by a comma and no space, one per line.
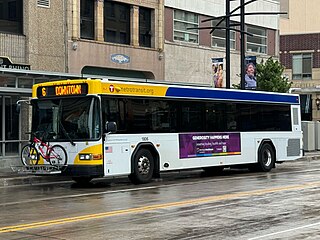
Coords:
62,90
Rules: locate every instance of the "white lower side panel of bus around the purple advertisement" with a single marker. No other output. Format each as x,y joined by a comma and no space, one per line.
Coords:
117,161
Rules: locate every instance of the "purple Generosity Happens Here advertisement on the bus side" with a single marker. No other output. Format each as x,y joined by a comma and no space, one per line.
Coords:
209,144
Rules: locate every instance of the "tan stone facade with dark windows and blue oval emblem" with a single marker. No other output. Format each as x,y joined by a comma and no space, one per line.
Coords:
119,38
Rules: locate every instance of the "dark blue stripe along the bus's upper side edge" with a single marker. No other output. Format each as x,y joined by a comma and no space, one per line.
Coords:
232,95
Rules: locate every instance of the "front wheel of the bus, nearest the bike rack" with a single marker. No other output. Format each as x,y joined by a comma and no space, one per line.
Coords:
143,166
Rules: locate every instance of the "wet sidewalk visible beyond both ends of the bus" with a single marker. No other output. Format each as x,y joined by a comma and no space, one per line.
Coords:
10,178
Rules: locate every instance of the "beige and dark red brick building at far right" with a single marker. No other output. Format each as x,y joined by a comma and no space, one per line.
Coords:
300,52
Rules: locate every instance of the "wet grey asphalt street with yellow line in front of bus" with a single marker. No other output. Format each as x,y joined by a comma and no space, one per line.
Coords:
238,204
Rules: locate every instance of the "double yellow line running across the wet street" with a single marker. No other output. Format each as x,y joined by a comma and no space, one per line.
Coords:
196,201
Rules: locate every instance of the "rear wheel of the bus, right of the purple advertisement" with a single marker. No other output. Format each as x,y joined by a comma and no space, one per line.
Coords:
266,158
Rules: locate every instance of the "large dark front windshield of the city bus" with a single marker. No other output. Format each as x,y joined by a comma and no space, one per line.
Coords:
67,119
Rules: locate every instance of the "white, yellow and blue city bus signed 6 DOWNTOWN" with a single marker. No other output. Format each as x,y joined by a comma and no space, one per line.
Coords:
141,129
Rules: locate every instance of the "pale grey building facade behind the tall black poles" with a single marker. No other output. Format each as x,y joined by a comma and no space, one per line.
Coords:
189,53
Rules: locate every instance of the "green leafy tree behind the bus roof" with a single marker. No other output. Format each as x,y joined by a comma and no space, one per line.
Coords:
270,77
